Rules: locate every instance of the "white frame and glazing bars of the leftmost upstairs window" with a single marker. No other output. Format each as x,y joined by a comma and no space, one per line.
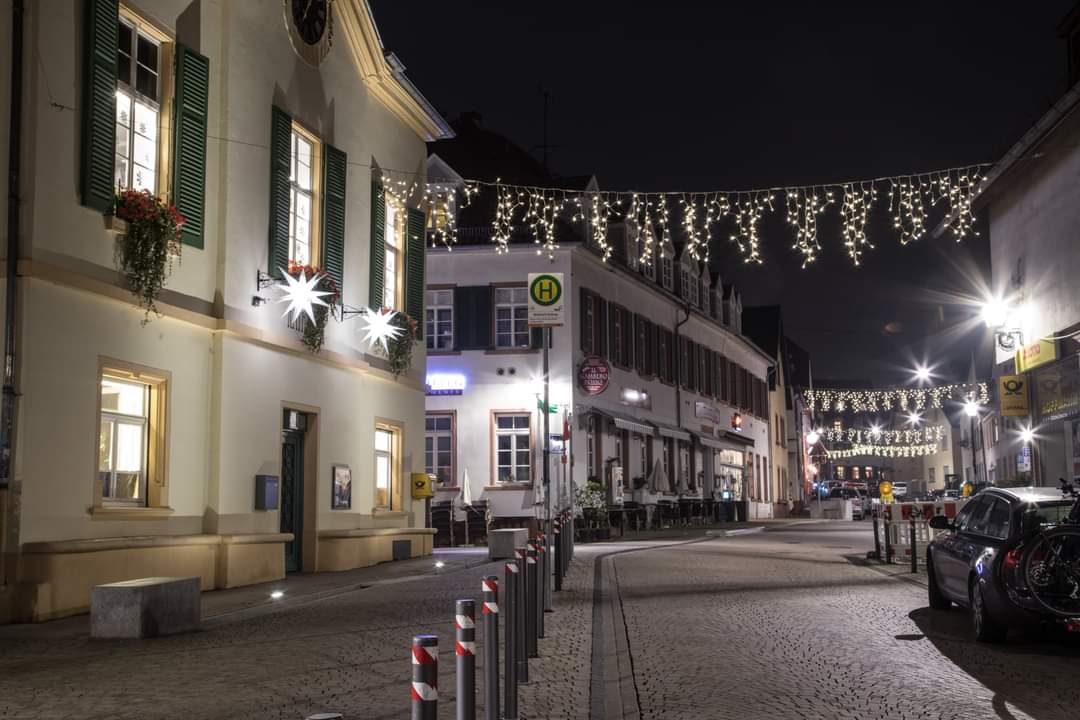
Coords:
128,94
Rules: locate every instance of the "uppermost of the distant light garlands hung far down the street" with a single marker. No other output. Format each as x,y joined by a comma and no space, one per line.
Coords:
900,399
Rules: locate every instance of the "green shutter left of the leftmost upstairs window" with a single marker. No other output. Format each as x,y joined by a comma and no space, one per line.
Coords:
100,103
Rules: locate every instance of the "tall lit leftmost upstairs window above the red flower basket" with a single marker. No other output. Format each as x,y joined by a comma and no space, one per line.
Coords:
141,66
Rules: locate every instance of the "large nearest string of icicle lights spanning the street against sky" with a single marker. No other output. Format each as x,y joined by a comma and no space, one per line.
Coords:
652,218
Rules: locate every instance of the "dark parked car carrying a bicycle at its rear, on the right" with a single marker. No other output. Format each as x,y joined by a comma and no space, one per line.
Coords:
968,566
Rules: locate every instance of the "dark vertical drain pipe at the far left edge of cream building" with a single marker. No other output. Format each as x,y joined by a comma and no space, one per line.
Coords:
15,146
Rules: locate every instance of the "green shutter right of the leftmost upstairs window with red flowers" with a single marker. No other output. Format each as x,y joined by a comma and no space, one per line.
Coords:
190,169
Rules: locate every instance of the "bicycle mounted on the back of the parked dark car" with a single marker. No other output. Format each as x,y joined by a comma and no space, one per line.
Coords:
1051,565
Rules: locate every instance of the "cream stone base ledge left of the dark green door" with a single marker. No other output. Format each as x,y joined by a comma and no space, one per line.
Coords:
55,579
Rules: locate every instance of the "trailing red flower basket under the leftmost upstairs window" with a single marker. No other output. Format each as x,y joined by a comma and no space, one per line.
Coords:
145,252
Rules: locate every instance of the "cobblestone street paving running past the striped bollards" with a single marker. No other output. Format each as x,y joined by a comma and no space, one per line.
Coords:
784,623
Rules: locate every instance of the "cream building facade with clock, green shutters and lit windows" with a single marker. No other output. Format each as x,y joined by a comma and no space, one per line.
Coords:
138,446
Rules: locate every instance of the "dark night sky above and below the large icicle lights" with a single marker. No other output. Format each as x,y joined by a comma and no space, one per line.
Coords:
713,96
